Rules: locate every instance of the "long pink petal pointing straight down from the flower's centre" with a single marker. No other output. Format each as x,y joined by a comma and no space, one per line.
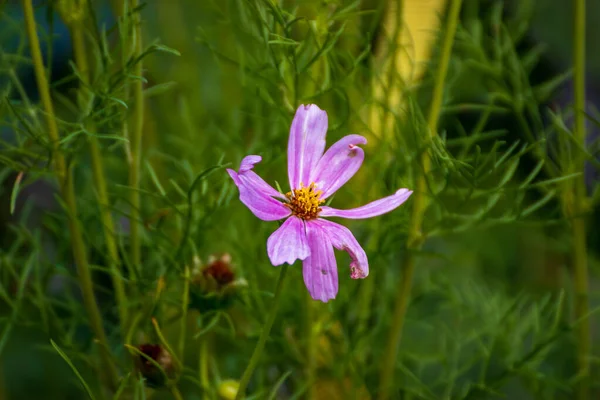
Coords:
320,268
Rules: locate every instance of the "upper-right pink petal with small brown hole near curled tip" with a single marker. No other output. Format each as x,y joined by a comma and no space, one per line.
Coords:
339,164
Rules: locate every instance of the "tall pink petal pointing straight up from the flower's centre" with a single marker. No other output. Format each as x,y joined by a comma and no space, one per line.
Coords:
306,143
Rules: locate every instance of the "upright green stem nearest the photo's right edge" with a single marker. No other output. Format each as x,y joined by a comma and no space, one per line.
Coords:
579,206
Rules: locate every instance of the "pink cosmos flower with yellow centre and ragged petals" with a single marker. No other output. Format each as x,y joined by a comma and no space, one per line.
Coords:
314,177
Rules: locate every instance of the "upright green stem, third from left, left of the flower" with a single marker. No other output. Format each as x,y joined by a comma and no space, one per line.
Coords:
135,144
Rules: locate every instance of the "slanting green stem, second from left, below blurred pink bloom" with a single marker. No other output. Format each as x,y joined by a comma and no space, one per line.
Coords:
99,178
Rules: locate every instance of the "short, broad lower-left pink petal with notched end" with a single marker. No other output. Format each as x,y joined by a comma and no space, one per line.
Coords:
288,243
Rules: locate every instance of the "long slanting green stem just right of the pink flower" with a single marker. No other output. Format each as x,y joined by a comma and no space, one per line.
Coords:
415,237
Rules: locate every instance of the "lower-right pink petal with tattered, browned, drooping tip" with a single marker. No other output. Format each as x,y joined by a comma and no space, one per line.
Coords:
343,239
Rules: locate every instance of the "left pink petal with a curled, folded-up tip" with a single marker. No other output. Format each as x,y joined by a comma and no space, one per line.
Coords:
257,194
